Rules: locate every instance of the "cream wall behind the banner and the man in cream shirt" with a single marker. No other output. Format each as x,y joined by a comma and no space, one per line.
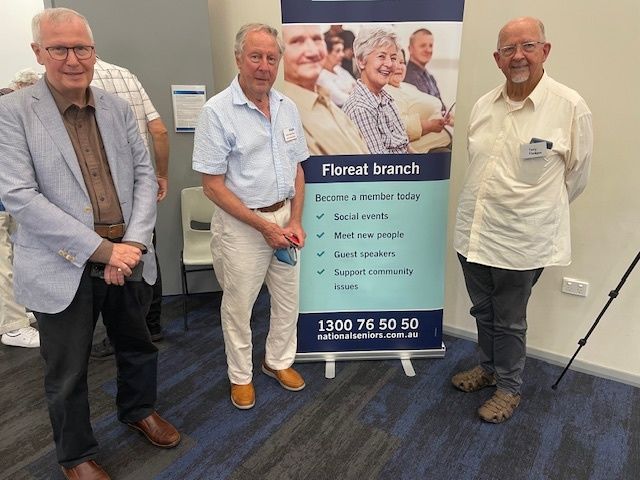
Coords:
594,47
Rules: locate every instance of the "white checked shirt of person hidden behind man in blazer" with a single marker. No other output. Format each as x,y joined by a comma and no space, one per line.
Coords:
123,83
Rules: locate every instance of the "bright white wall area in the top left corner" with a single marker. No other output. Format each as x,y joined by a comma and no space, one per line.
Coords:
15,38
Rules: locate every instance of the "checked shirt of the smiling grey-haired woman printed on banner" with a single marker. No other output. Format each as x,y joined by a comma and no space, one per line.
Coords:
378,120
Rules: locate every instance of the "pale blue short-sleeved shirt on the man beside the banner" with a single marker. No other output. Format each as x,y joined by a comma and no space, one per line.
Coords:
235,139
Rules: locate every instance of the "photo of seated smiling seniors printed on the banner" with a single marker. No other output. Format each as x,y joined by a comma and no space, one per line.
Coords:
390,98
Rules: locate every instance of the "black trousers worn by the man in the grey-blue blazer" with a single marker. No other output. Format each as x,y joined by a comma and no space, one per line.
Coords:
65,344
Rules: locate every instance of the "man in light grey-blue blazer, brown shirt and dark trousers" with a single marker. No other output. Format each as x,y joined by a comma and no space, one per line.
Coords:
78,179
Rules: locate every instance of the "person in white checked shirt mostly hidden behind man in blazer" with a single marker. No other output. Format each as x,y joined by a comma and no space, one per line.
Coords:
121,82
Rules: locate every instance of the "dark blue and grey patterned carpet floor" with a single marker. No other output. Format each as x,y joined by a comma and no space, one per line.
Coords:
370,422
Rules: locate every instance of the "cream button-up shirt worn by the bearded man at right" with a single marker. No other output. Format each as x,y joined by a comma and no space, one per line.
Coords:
513,212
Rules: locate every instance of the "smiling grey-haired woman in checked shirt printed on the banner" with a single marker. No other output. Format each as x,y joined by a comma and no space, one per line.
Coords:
371,108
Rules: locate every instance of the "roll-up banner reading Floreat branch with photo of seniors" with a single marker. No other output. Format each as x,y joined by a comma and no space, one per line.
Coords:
379,126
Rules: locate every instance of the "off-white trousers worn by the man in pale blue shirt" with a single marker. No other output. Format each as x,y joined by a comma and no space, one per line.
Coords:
243,262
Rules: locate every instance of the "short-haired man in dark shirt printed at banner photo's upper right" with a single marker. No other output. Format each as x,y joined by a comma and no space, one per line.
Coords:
420,53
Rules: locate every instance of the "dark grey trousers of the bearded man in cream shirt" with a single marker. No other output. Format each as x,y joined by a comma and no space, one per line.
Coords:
500,298
